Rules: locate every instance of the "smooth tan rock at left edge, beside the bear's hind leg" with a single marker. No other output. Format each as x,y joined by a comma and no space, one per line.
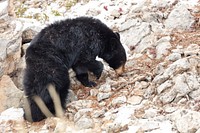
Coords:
10,95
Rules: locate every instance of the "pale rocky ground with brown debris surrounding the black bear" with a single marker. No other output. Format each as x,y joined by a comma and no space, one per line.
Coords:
160,90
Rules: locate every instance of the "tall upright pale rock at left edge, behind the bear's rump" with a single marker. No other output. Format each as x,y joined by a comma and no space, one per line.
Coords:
10,46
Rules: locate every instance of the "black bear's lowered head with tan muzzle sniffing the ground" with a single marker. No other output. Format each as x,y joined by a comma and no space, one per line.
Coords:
114,54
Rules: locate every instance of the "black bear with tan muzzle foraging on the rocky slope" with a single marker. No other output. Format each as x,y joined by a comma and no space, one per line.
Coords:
71,43
